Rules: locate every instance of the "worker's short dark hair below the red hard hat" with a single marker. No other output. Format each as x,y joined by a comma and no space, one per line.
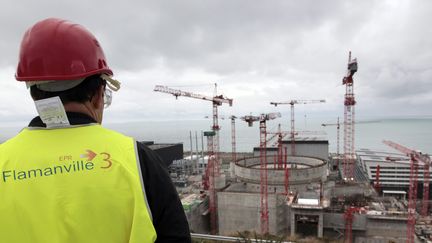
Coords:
80,93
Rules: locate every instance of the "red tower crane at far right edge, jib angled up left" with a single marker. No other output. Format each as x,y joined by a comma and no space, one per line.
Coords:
417,158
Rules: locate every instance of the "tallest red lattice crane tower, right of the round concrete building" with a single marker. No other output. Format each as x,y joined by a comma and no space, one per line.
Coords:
349,129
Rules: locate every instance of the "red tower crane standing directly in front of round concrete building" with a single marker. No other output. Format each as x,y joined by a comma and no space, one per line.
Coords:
262,119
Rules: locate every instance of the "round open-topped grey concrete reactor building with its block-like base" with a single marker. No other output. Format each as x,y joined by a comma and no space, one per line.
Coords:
239,204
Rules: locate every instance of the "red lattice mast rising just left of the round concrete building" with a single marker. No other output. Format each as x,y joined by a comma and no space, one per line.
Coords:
210,172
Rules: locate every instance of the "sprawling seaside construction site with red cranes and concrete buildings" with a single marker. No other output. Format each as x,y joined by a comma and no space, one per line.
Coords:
290,186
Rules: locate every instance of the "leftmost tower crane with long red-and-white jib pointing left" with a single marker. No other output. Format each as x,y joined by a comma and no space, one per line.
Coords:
216,100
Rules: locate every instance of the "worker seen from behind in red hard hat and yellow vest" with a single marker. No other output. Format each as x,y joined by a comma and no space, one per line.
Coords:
65,178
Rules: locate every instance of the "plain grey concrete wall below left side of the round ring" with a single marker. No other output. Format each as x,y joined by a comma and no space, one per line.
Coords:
240,211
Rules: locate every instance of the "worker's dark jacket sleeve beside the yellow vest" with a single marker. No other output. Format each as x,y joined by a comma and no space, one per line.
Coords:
168,215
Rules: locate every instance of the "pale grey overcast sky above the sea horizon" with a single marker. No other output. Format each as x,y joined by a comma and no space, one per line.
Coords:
257,52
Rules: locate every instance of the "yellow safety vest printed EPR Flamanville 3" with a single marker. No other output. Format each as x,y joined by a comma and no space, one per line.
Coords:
76,184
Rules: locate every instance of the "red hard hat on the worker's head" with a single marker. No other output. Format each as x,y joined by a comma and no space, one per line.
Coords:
56,49
